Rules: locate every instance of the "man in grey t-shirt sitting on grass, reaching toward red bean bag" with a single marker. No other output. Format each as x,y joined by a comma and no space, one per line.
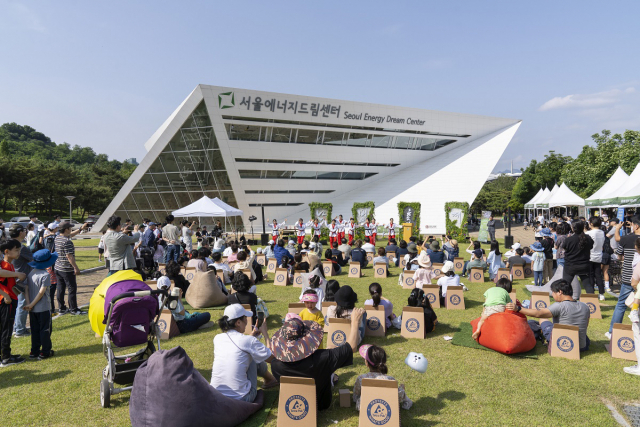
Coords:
564,310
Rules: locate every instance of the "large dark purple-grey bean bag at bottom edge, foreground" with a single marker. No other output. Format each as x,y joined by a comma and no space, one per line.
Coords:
169,391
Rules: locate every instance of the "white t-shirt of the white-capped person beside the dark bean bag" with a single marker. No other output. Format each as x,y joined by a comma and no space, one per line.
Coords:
233,352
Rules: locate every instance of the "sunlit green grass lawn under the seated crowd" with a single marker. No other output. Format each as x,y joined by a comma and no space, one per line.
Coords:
462,387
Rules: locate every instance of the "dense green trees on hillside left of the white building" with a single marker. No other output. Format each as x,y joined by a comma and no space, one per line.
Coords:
36,174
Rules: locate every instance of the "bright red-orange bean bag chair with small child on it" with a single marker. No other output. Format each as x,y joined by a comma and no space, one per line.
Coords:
506,333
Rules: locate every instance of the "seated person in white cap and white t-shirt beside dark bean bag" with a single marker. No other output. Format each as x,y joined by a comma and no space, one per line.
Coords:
239,359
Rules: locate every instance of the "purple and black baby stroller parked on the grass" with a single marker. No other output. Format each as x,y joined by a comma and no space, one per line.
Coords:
131,314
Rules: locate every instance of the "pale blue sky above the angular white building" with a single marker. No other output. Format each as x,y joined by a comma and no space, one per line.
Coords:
107,74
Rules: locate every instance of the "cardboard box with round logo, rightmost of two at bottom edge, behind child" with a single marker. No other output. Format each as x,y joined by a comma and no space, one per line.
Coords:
379,403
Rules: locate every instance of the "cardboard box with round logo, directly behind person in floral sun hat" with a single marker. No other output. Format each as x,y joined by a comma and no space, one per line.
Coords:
297,402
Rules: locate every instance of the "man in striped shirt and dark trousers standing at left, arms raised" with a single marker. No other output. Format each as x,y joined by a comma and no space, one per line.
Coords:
66,268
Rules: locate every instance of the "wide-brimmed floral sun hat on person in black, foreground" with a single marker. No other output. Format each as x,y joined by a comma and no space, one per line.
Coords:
296,340
